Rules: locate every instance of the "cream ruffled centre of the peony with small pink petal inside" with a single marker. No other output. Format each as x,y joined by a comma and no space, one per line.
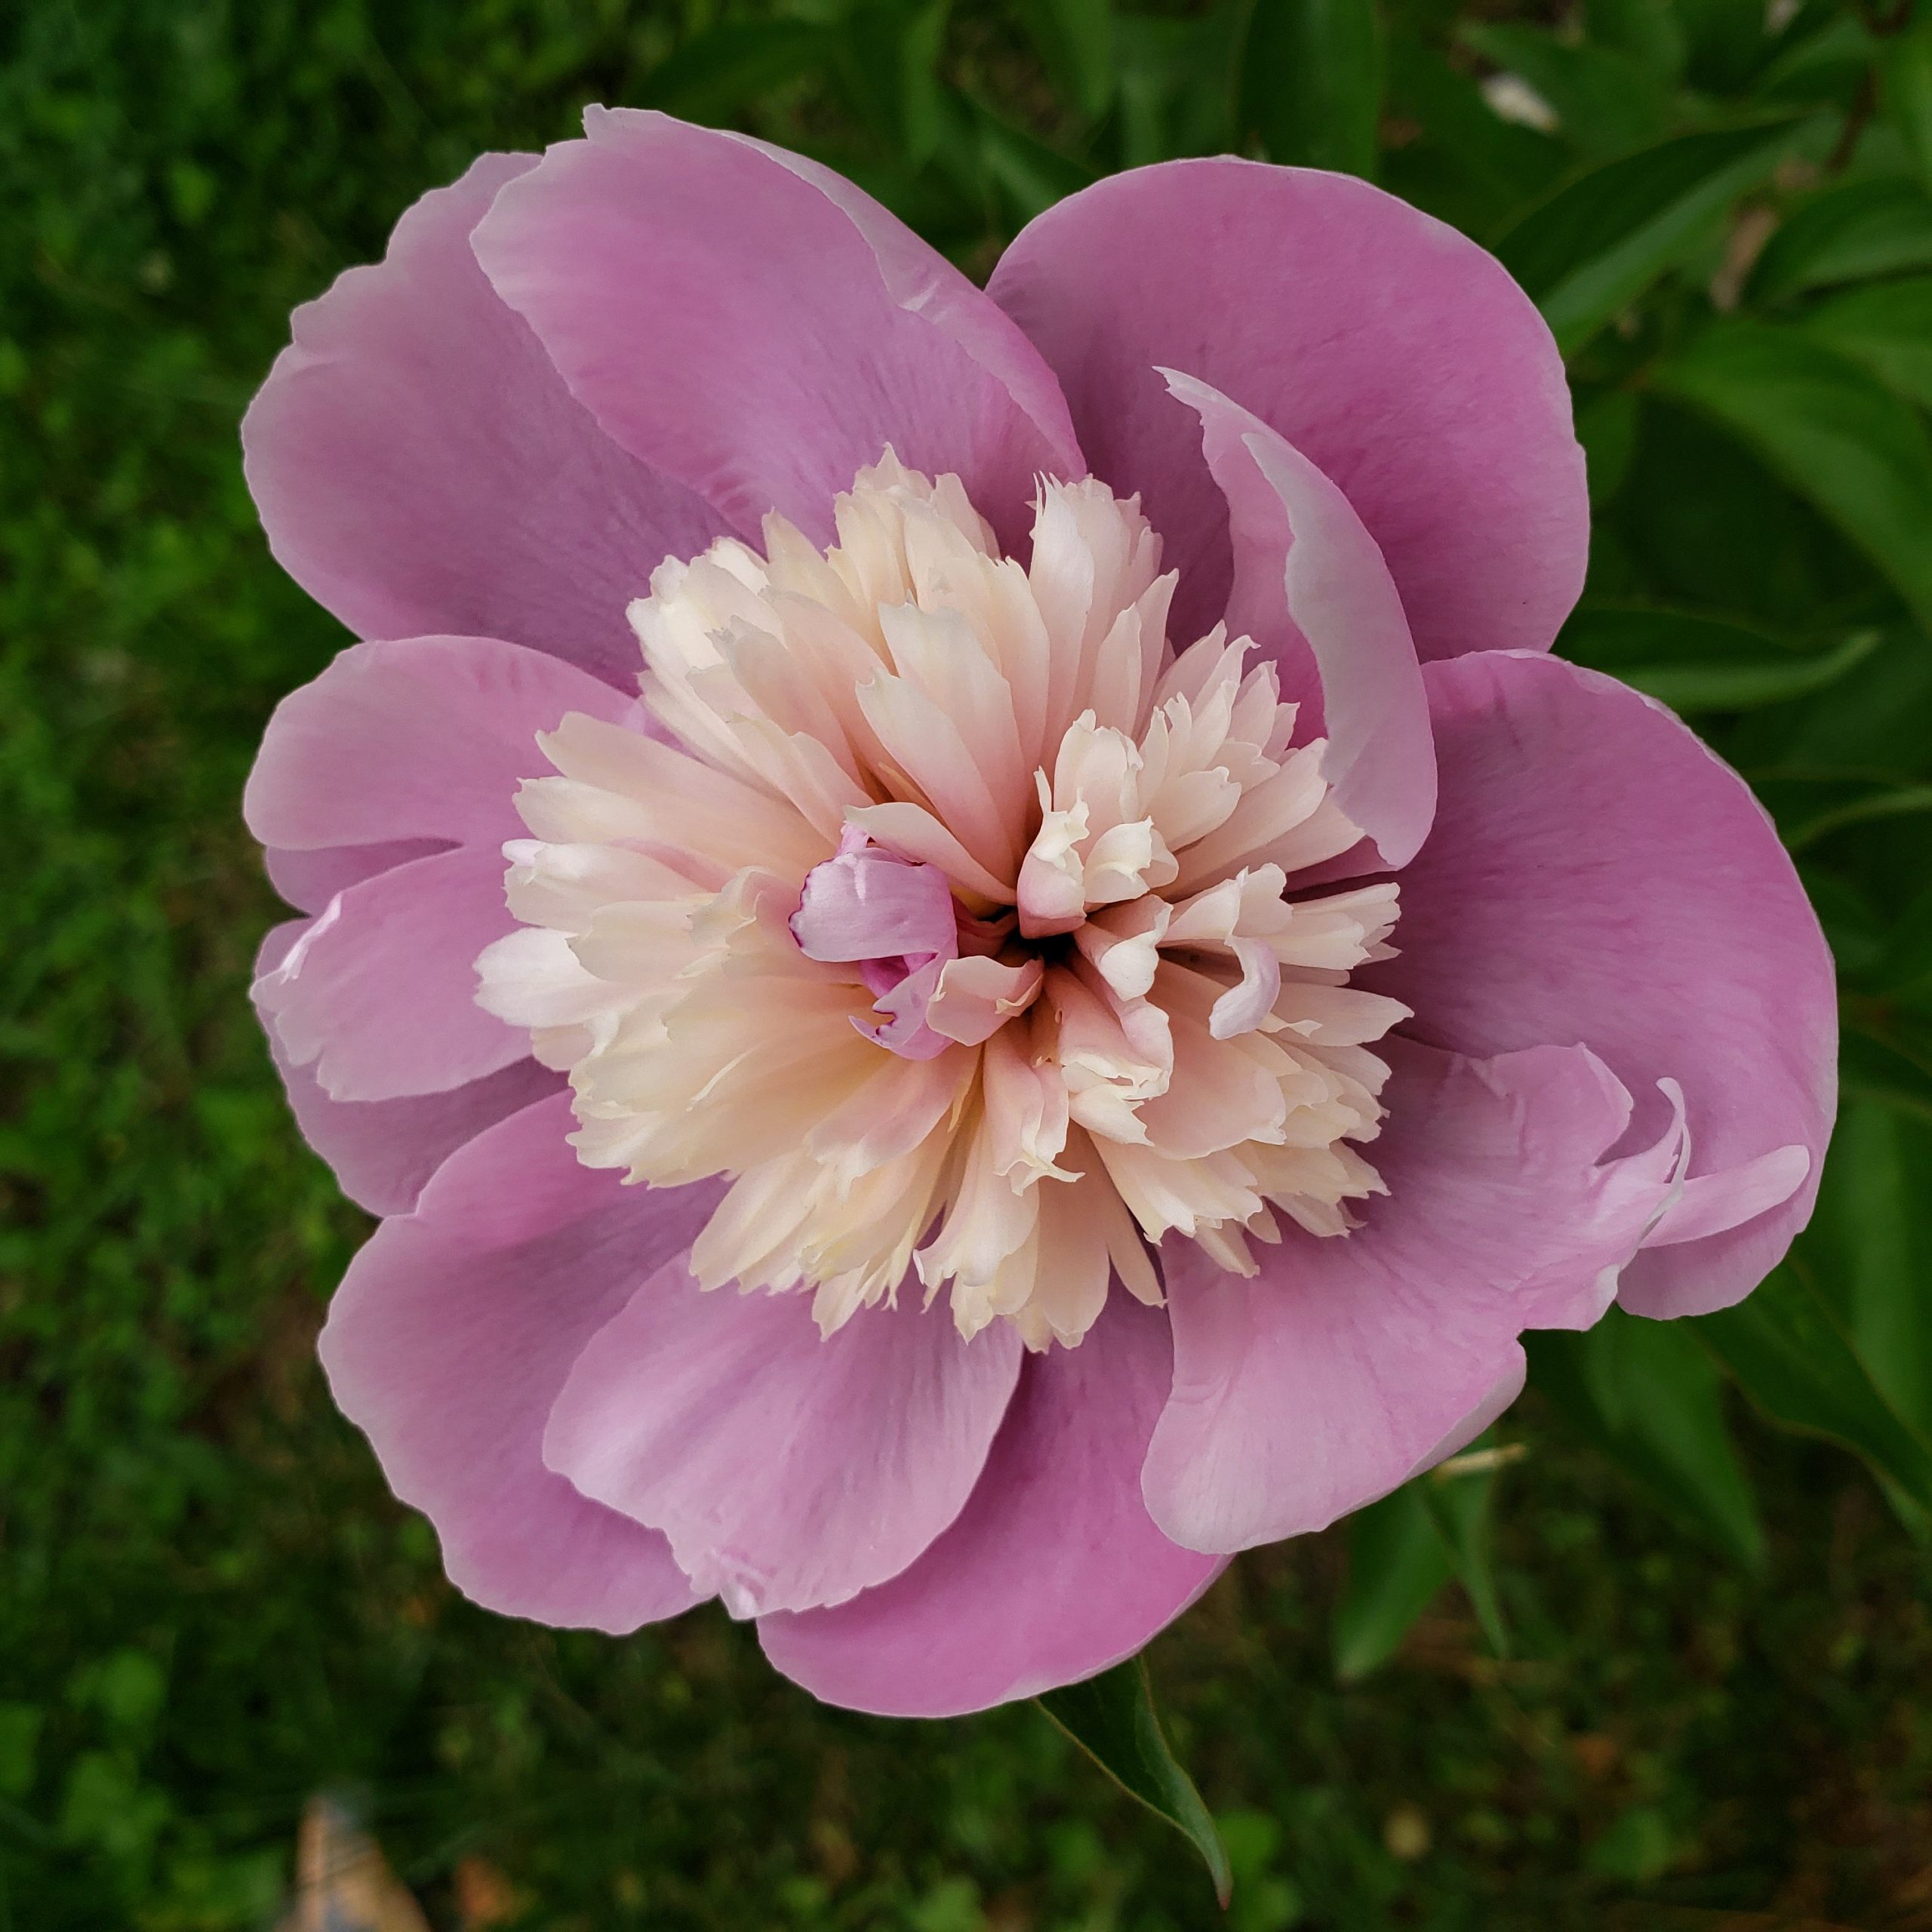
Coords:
946,909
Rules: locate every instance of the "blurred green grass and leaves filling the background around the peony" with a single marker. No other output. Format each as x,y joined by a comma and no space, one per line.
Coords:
1670,1662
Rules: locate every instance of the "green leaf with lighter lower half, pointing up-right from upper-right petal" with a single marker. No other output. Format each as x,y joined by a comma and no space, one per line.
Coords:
1599,242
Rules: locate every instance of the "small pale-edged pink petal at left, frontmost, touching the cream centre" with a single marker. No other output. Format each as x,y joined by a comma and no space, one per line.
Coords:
380,994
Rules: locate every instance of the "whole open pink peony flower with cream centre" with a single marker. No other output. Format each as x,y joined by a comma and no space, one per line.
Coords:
967,940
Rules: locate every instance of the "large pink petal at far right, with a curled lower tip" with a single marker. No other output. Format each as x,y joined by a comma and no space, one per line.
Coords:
1599,876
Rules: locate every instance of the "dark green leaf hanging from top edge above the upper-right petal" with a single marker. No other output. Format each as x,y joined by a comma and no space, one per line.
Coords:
1309,82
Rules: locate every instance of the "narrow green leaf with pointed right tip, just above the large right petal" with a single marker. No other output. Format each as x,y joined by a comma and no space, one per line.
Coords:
1695,664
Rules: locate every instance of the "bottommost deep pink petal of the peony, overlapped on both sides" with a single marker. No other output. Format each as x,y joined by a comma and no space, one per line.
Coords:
1054,1570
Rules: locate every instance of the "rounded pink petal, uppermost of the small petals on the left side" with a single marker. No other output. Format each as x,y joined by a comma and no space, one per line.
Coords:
424,739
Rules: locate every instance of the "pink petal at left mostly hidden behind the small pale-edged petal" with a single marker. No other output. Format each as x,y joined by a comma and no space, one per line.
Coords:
385,1151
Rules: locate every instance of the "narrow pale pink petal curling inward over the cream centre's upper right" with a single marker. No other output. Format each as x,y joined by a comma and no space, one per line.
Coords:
1313,588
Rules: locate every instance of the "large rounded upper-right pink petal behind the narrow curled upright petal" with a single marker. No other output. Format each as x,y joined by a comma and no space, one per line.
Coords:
1388,349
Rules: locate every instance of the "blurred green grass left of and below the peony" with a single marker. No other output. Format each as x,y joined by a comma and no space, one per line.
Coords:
212,1608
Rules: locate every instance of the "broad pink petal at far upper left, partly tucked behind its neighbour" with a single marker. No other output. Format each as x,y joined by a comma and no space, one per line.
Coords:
422,469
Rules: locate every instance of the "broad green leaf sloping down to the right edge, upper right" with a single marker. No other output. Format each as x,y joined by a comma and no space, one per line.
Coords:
1831,430
